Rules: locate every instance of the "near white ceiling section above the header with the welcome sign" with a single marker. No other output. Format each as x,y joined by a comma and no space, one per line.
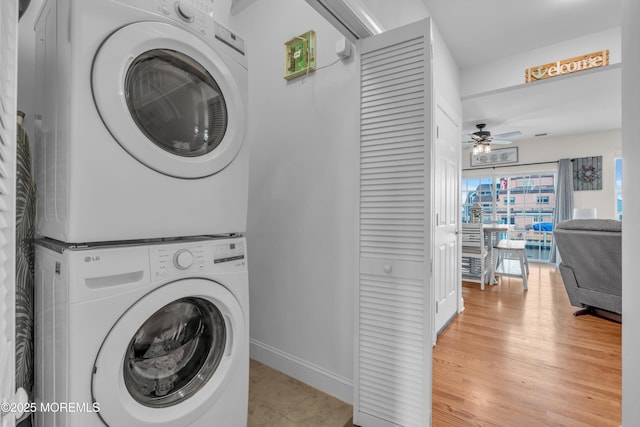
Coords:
486,30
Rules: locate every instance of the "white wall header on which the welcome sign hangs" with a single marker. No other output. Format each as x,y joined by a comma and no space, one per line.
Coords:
510,71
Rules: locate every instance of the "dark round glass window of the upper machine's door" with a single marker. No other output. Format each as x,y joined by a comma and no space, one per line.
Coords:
176,103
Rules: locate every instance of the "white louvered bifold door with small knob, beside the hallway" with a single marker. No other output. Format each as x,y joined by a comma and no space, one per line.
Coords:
393,349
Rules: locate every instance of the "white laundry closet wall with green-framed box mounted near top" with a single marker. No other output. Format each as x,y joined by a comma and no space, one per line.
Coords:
301,235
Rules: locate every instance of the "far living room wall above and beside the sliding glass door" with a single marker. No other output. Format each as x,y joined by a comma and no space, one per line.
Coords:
606,144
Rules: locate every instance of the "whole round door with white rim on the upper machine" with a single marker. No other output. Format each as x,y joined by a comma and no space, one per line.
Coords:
169,99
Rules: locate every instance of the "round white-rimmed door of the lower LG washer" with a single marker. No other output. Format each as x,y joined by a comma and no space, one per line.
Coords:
168,358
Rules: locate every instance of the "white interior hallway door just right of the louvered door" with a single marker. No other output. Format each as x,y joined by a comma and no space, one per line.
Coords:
446,172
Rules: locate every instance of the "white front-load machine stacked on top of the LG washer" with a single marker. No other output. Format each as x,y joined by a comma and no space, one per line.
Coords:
141,121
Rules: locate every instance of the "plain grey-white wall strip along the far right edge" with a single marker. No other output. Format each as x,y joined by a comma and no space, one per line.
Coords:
631,231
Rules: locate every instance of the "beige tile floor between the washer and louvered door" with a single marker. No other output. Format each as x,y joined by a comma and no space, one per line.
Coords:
276,400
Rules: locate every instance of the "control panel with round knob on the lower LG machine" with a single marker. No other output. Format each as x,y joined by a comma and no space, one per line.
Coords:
175,259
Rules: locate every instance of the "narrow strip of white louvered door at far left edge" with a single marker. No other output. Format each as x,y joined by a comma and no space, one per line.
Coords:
8,90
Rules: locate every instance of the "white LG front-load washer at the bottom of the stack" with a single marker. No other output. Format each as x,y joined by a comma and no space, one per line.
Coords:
153,334
